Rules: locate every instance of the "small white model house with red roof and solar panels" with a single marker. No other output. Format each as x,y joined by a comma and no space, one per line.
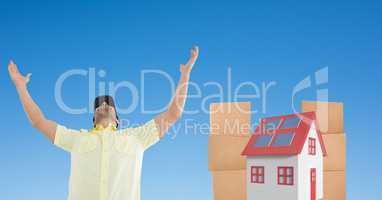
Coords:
285,159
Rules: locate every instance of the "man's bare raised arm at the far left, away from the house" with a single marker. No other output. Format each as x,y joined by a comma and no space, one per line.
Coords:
35,116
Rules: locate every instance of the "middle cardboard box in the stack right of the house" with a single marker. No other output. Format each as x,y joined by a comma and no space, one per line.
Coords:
336,148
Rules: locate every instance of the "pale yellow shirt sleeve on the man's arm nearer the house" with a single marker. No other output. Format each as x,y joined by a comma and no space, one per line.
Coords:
146,134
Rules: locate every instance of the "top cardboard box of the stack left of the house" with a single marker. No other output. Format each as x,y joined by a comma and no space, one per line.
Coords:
232,119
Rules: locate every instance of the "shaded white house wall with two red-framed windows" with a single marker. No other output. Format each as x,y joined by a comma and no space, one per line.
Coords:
270,190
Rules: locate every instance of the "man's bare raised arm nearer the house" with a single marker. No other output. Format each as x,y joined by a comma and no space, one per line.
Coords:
166,119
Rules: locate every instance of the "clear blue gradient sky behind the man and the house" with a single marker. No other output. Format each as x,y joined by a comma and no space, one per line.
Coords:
262,41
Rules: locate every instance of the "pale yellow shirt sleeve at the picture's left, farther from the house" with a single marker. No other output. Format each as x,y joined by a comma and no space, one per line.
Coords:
66,138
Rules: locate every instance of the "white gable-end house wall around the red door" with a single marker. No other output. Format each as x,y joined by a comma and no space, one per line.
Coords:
305,163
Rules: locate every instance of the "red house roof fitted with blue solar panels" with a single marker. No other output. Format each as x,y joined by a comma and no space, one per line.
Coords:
282,135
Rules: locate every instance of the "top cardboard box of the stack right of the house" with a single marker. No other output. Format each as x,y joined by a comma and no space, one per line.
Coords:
330,115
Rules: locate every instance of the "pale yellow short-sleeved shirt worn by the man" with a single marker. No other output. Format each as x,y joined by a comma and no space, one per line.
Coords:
106,165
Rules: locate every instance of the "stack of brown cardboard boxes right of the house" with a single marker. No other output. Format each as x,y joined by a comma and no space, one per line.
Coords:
330,118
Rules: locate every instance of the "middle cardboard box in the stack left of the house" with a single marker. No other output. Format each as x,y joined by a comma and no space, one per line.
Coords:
224,152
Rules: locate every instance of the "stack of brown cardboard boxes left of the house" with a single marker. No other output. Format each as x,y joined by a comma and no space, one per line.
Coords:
230,126
